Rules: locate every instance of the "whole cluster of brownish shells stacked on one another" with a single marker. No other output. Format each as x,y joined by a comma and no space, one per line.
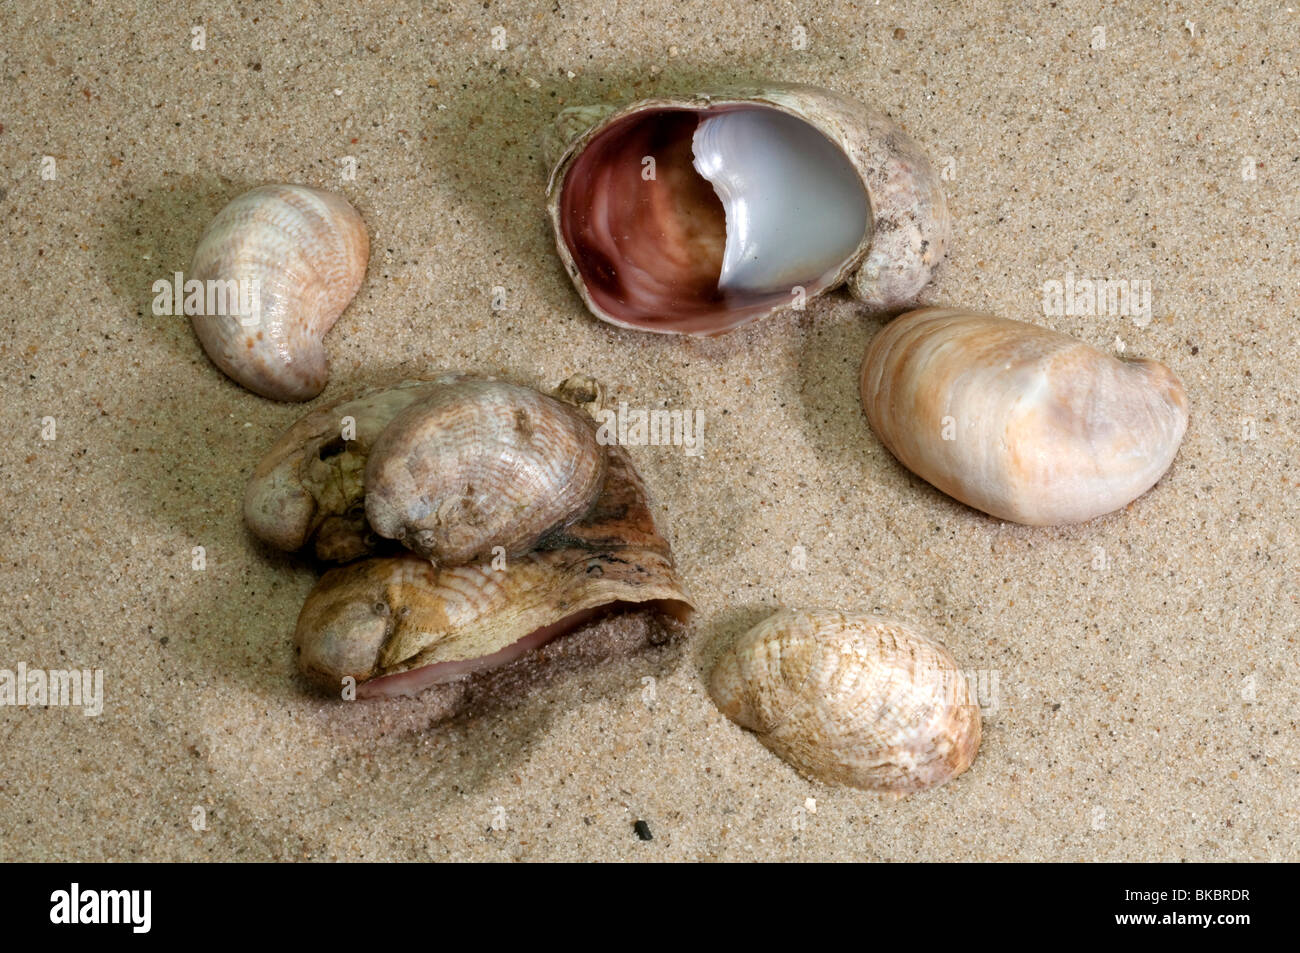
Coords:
475,519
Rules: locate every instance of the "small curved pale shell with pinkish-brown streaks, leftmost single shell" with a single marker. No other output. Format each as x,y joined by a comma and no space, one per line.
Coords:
305,254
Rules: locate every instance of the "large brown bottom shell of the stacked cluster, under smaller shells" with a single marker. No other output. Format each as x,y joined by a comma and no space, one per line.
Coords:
401,625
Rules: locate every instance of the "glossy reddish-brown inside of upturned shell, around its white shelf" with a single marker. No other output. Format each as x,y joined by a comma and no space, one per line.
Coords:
649,249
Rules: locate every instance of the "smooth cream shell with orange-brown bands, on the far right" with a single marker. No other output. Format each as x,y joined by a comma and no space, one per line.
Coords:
1021,422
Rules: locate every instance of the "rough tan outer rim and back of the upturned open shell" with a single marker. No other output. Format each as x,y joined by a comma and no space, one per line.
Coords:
909,232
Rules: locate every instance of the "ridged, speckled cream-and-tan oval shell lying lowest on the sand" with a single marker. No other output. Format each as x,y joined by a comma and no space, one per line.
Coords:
851,699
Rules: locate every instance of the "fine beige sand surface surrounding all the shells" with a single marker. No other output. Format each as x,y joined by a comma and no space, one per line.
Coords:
1147,712
